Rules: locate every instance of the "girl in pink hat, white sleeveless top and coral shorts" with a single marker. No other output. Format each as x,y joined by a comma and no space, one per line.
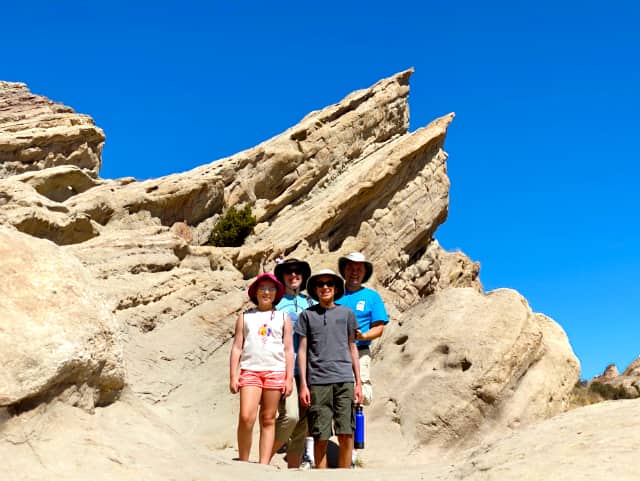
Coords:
261,364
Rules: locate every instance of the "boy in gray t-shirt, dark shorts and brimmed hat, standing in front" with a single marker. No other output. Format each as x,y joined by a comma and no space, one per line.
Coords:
329,366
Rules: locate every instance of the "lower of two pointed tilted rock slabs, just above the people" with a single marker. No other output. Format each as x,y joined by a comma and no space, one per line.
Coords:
408,174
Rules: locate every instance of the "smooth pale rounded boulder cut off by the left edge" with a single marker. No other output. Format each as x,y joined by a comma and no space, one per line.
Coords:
55,332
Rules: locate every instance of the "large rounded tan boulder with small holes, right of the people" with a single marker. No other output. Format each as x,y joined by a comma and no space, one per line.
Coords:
463,366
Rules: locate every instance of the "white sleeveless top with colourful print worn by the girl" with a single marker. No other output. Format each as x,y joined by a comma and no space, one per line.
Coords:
263,348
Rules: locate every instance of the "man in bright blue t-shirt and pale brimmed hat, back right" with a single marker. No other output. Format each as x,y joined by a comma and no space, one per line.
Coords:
368,308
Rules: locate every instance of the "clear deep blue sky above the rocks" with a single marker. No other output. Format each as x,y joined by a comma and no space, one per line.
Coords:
543,151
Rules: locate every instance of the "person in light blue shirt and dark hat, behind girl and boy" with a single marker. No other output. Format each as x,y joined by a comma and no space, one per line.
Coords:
291,423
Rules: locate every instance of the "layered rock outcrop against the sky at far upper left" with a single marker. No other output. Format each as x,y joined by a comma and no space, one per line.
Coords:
36,133
